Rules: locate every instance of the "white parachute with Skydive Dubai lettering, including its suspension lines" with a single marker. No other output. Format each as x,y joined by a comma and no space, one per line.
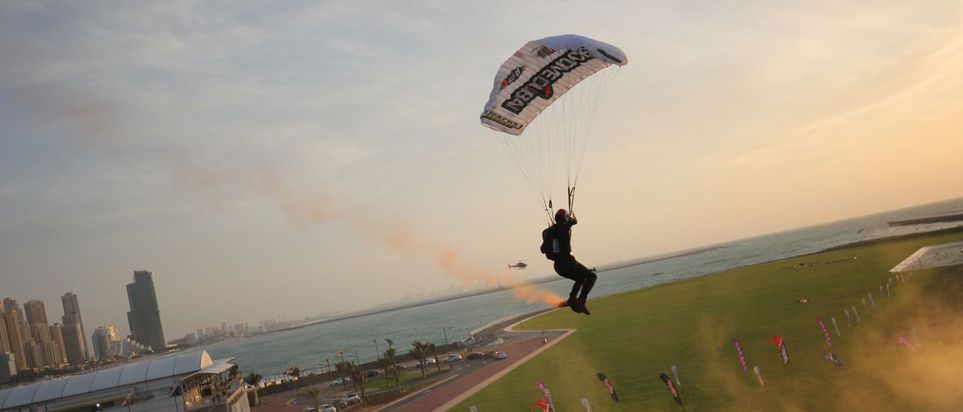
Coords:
543,103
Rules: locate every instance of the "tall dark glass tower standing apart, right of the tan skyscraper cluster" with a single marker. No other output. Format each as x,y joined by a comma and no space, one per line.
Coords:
144,316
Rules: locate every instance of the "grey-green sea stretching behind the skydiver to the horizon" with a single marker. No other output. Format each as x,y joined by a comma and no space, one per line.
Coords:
314,347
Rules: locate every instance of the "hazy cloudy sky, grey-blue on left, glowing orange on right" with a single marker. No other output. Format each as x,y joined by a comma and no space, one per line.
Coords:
281,159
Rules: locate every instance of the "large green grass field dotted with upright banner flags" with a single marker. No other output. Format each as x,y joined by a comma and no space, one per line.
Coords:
635,336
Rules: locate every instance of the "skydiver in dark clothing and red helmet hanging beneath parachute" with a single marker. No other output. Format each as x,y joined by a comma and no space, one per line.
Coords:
559,238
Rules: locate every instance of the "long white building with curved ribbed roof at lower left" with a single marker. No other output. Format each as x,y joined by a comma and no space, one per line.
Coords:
182,383
